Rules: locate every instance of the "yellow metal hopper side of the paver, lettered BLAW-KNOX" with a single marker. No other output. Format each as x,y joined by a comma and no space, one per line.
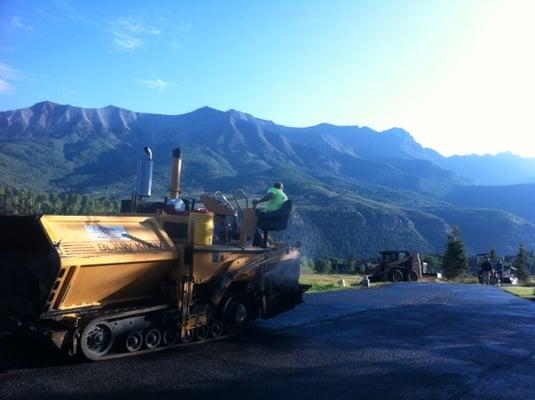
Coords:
109,259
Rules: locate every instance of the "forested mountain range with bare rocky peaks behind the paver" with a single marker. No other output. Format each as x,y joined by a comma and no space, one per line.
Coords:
356,191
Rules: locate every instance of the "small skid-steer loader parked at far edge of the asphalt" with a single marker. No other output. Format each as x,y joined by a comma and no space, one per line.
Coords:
397,266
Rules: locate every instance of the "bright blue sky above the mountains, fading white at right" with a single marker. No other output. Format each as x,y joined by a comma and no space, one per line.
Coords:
459,75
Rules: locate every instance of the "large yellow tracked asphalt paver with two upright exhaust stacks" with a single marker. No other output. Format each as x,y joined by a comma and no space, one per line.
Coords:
164,274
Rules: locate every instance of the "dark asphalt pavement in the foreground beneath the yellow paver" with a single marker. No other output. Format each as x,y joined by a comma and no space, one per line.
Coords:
406,341
